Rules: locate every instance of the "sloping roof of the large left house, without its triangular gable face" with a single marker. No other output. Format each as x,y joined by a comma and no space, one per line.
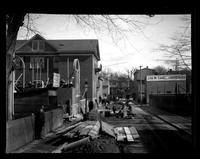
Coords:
66,46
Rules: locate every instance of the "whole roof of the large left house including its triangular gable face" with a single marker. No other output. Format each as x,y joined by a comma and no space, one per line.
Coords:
75,46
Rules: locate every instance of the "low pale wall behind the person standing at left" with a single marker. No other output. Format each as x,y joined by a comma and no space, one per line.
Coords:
21,131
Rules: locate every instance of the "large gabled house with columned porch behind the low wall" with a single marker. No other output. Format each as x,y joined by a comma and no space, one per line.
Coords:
44,57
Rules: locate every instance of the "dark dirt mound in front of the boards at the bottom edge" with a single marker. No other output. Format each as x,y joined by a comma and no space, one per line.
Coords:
103,144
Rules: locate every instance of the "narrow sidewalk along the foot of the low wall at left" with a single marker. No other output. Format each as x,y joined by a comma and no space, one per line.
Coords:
45,145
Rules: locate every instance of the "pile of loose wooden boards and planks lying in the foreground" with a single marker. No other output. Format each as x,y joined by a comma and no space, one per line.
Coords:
84,132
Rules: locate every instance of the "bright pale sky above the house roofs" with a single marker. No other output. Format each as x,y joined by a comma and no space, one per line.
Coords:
138,48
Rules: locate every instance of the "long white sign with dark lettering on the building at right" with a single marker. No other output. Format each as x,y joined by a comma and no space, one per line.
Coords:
166,77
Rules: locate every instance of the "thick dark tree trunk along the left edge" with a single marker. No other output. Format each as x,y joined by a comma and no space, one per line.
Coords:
13,22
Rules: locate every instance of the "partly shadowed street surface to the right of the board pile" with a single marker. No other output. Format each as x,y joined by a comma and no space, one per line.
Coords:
156,134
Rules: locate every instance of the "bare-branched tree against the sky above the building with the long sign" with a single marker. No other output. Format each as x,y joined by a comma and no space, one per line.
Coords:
180,50
